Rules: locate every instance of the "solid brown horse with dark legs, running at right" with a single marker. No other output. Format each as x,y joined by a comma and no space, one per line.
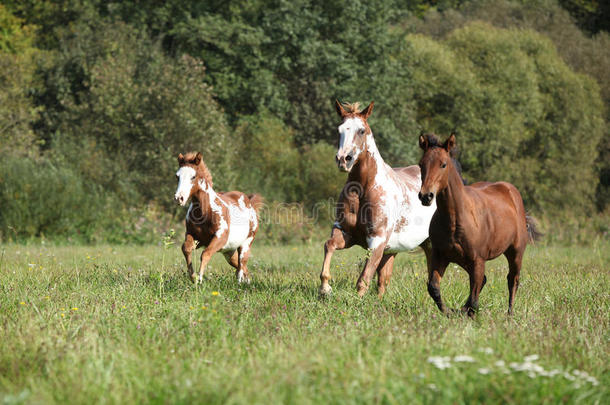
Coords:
472,224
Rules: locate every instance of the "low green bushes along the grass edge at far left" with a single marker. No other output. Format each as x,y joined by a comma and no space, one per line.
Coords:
46,199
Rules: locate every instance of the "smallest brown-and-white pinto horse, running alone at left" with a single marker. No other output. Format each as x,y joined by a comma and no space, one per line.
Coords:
225,222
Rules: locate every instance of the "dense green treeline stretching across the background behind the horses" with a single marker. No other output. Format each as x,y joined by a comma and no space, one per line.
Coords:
98,97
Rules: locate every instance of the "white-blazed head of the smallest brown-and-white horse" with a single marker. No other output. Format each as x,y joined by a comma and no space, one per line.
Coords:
192,176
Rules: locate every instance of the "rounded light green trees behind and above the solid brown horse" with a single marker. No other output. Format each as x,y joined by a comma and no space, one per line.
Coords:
521,114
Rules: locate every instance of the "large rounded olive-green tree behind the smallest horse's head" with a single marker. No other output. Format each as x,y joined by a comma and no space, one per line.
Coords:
124,111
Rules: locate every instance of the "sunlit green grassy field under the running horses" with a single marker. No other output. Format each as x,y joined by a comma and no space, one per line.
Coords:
123,325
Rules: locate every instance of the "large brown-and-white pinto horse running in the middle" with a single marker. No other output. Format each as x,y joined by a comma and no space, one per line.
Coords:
378,208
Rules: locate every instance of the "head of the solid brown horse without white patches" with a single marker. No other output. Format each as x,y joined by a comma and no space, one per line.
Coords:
434,166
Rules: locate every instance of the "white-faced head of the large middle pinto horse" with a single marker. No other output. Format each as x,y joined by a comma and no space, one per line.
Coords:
352,134
